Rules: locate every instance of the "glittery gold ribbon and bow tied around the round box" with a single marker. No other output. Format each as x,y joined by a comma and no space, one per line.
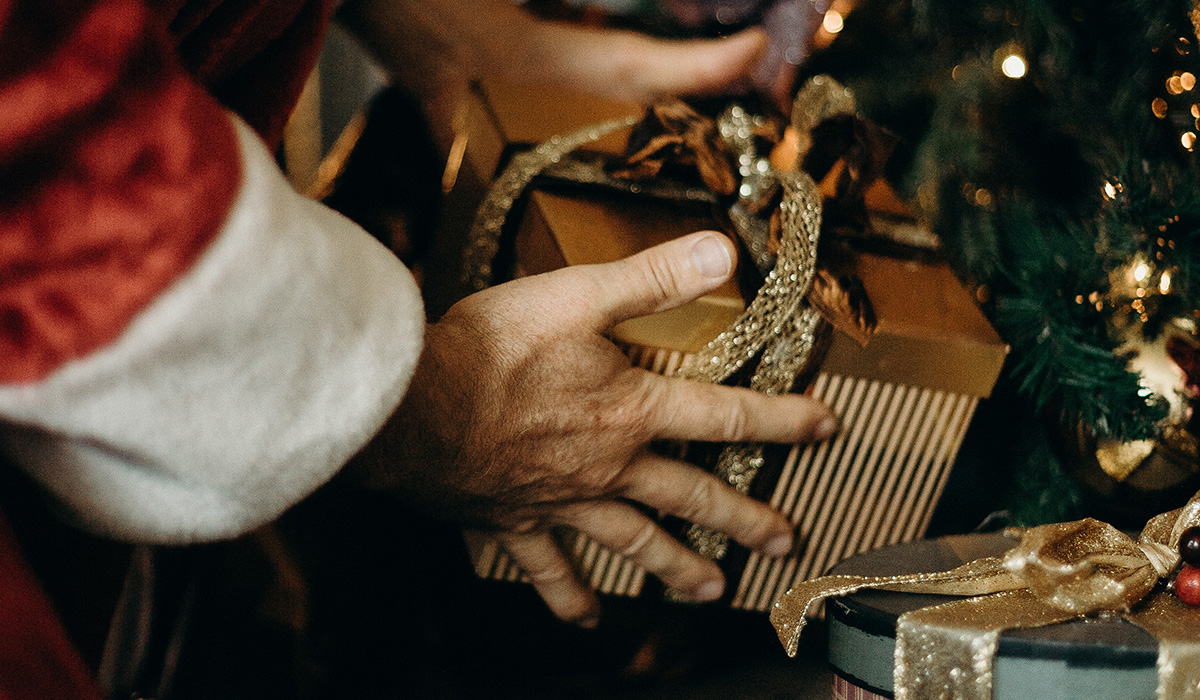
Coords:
1057,573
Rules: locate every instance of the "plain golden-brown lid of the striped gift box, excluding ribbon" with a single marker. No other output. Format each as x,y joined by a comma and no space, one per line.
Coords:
929,331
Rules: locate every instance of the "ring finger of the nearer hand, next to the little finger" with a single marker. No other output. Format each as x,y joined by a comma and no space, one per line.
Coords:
632,535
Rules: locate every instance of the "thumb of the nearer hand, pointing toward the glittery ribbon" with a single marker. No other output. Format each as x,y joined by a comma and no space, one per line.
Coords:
658,279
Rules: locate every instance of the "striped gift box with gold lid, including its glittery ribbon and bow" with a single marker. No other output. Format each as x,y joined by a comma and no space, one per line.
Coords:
873,326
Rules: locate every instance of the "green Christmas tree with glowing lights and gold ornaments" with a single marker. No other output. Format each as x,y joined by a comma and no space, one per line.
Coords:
1052,147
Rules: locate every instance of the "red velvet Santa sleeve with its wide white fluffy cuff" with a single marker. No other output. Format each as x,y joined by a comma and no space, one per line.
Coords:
188,346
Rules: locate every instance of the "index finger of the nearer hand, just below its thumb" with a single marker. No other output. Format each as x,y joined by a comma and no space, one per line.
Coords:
683,410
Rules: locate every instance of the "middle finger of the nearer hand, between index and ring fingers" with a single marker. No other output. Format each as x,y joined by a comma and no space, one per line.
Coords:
700,498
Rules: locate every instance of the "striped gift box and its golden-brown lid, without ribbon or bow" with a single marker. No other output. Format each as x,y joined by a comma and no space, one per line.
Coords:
905,393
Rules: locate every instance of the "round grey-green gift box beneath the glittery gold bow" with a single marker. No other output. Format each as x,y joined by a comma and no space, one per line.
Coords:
1085,660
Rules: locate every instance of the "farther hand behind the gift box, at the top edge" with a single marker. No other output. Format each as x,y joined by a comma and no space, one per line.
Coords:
437,49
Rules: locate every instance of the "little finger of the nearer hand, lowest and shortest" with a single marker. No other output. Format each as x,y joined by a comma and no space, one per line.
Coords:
553,577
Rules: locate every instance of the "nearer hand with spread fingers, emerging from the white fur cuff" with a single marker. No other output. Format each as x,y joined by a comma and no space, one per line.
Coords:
523,417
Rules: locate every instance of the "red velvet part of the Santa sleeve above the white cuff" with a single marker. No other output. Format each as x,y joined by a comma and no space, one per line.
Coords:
117,166
